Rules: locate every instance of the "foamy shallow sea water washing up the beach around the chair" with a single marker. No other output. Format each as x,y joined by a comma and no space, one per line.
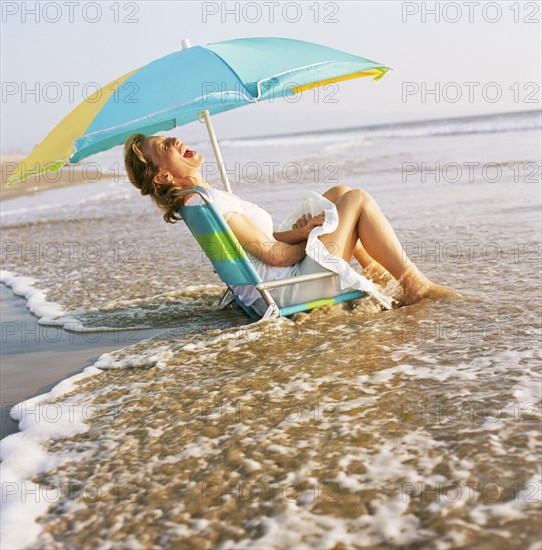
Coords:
344,428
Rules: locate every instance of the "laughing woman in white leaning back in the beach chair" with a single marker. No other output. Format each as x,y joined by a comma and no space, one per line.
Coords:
159,165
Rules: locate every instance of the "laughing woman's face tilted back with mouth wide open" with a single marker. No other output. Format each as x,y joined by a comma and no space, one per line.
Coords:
174,159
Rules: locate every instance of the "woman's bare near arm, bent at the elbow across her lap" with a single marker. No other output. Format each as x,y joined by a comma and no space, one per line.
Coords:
255,241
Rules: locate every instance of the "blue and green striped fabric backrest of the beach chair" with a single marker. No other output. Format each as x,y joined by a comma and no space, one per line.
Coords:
217,241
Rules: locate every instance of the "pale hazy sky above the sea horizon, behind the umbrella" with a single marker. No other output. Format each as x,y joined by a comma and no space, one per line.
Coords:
477,57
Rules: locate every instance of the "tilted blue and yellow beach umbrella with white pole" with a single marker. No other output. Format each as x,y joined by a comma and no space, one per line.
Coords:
188,85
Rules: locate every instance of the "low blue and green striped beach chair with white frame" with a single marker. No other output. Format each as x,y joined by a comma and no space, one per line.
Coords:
234,267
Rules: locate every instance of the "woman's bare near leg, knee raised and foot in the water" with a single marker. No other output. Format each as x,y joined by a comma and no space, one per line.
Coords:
361,218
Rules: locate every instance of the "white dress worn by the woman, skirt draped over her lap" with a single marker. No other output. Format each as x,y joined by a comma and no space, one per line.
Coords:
317,259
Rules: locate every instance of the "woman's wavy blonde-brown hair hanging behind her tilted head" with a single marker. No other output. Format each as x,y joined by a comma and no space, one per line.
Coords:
142,172
